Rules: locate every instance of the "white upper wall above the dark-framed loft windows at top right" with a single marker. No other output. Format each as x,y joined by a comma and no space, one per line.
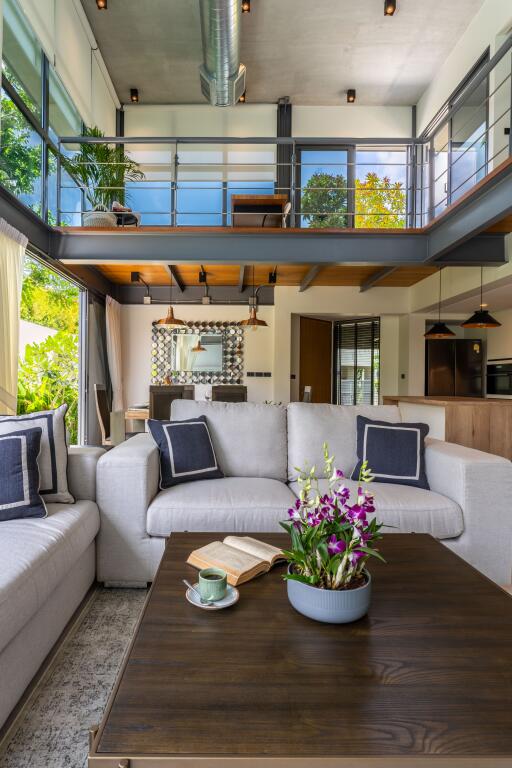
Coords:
493,19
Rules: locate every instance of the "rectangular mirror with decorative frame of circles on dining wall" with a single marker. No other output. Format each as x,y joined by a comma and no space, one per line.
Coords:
197,353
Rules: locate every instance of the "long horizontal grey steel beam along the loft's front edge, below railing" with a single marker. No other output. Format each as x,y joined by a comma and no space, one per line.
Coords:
226,247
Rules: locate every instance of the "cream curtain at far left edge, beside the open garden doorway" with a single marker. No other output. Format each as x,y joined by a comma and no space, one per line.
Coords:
12,257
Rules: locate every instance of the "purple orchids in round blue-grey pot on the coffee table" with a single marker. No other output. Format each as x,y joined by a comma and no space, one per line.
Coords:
332,541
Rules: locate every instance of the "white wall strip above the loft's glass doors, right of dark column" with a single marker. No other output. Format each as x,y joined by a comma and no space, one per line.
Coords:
352,121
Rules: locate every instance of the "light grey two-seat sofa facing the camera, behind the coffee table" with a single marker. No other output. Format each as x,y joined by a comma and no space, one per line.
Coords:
258,447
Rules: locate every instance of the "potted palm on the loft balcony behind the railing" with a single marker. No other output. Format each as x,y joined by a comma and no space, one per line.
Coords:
101,170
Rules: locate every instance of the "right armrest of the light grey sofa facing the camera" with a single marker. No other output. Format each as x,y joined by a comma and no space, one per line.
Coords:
481,484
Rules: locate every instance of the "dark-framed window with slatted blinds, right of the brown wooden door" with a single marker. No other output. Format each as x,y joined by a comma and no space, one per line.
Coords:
356,362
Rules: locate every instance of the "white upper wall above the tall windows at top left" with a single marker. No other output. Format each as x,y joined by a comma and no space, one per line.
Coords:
68,41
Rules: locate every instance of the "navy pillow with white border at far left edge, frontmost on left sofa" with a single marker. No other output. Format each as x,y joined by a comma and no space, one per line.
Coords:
19,475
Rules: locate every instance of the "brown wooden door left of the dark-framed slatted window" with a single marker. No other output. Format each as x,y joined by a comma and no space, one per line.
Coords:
316,359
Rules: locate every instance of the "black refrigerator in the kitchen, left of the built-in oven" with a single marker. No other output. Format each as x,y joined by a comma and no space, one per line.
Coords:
454,367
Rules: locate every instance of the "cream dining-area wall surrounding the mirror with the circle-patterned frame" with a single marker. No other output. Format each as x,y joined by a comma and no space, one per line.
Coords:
136,346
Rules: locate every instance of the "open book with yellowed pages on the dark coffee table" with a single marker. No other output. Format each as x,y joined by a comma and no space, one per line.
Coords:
242,557
